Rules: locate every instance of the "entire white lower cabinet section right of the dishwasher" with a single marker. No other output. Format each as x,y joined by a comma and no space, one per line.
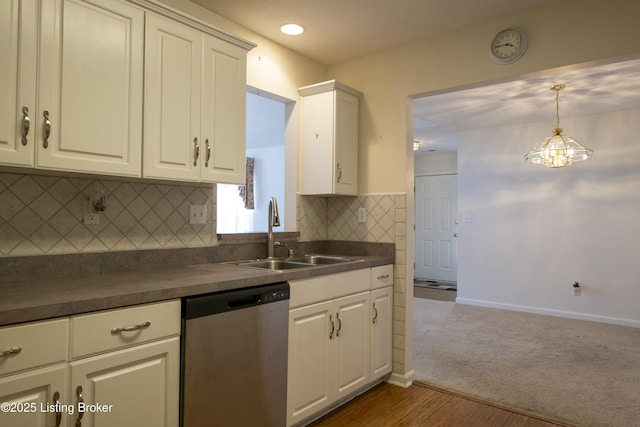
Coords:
339,339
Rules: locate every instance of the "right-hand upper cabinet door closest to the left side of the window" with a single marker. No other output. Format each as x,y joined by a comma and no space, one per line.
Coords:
223,112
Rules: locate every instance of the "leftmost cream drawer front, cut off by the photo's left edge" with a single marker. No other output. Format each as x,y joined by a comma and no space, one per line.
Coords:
31,345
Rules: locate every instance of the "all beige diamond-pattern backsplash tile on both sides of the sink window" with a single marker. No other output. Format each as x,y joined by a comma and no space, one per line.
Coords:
43,215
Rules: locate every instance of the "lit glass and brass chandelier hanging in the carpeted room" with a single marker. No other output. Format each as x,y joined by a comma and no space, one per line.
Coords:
558,151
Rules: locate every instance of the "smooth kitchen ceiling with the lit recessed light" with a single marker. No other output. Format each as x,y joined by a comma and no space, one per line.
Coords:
337,30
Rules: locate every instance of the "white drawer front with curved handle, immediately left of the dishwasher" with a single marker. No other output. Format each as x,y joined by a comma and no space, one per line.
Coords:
109,330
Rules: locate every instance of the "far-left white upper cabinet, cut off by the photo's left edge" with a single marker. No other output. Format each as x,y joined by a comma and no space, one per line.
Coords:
87,68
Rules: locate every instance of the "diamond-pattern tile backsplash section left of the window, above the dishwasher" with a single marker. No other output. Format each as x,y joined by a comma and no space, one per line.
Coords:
45,215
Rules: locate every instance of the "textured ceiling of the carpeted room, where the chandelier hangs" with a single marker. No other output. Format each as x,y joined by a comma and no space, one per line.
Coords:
593,90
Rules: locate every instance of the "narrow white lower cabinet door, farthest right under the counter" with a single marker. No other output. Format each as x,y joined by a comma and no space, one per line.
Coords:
381,334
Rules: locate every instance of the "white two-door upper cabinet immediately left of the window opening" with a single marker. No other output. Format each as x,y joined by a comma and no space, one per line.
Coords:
194,105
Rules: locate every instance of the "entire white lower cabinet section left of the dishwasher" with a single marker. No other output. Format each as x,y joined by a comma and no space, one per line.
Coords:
111,368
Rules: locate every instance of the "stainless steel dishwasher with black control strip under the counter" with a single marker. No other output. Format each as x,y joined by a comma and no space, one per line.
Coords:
234,358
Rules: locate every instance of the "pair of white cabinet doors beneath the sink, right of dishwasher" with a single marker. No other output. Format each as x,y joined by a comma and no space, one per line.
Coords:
328,353
